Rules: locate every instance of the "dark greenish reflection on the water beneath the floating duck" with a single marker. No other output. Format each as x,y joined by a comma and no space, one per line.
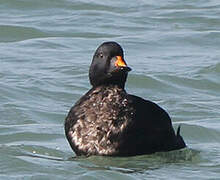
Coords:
138,164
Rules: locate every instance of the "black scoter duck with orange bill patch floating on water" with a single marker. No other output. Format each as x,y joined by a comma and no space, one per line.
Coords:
108,121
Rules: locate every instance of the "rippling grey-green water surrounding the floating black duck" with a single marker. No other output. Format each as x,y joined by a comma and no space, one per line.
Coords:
46,47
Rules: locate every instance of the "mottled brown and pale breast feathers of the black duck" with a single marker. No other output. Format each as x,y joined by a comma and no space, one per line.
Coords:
102,120
